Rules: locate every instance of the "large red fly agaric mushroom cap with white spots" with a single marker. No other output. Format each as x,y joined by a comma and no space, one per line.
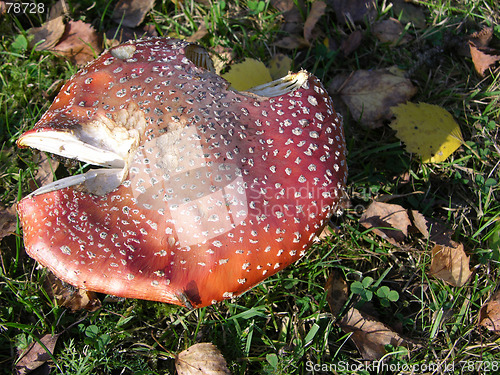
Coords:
206,191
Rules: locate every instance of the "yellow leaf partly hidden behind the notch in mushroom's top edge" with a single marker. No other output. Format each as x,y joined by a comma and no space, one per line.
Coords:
247,74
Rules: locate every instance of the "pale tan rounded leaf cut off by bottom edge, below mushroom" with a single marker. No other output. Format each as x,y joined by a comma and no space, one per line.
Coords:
201,359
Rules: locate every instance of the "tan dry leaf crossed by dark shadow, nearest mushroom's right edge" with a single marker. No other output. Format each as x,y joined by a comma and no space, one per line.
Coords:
389,221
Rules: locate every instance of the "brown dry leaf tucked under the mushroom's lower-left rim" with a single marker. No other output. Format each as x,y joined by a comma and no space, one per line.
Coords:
68,296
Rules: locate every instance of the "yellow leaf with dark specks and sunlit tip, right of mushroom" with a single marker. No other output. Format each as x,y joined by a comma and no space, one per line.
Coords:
427,130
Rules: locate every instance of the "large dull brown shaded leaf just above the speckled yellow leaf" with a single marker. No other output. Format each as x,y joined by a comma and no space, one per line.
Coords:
369,94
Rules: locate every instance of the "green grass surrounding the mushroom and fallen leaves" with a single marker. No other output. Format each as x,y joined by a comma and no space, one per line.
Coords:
284,324
